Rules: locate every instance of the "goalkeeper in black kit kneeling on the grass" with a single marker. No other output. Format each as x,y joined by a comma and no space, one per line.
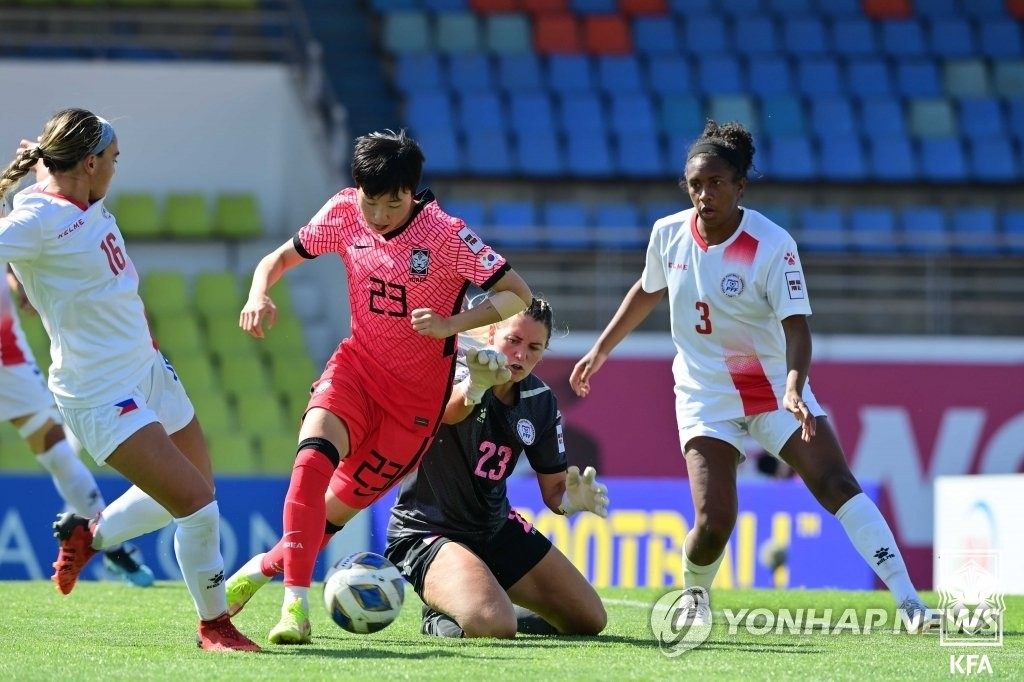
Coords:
481,569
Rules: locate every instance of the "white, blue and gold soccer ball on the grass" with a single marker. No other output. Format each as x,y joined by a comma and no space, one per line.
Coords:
364,592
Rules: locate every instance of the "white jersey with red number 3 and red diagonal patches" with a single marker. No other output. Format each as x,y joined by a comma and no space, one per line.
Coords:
727,304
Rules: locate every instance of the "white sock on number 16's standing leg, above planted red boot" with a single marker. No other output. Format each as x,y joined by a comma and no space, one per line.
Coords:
197,545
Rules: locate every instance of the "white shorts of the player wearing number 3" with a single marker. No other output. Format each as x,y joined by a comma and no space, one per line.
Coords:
771,430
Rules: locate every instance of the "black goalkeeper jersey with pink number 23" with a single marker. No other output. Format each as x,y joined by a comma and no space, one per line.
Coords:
459,491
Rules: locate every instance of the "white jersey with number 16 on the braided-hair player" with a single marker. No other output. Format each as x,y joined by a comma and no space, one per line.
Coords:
72,262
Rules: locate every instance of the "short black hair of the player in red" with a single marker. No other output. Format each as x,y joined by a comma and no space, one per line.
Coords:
387,162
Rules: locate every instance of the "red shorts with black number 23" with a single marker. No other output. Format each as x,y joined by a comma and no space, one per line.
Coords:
381,450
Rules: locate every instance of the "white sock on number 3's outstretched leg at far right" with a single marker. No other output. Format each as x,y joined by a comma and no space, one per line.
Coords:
873,538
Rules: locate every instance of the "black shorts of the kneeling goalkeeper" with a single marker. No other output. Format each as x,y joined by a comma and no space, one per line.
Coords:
510,555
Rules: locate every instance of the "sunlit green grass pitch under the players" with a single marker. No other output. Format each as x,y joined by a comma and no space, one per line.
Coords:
109,631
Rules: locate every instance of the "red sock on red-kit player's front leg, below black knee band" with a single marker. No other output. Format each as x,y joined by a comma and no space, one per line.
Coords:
306,515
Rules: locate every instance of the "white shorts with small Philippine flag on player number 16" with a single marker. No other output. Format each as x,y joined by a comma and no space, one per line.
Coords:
160,398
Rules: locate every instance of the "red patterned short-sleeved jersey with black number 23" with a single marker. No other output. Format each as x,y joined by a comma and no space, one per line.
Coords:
429,264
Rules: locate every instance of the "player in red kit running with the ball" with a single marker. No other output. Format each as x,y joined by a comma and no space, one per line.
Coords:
379,403
